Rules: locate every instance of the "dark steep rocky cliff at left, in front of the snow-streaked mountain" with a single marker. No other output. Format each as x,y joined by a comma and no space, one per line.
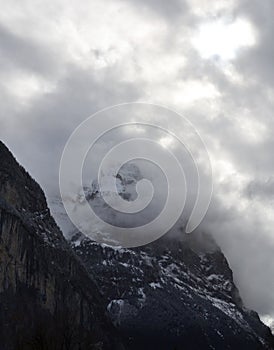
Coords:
47,299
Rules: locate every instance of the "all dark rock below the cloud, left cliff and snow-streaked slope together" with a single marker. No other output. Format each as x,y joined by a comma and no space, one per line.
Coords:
168,295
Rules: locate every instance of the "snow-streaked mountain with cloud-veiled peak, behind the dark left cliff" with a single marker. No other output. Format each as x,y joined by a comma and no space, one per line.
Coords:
175,293
